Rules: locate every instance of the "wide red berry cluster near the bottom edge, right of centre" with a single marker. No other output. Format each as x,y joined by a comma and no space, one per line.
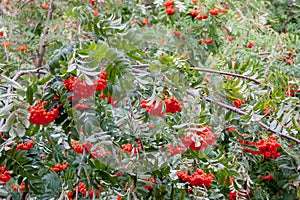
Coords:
198,178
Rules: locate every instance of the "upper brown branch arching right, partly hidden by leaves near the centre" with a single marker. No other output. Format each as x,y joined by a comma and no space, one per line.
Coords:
208,71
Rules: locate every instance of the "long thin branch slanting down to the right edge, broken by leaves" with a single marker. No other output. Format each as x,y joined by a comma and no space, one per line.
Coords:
236,110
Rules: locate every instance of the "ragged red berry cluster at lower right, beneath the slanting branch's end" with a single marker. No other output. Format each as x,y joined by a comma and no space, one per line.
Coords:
267,148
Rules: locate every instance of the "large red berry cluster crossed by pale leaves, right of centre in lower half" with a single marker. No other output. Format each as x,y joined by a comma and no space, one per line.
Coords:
207,138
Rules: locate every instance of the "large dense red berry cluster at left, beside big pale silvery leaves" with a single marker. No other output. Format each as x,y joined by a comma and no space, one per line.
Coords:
39,115
